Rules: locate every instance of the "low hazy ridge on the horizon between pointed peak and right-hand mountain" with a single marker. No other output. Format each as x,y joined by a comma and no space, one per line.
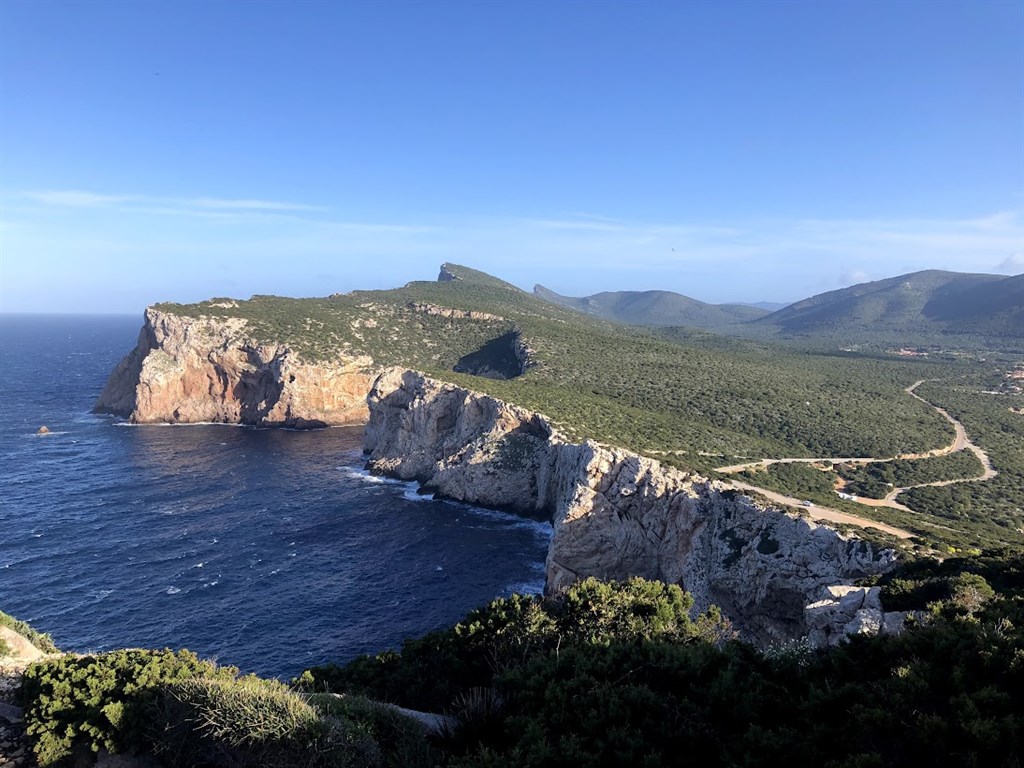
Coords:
660,309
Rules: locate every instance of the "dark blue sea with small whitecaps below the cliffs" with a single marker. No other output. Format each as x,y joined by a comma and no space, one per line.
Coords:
268,549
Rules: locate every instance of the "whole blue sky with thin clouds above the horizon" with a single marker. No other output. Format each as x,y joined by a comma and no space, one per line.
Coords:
730,151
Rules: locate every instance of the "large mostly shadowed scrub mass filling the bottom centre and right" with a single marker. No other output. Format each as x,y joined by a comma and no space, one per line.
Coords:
618,675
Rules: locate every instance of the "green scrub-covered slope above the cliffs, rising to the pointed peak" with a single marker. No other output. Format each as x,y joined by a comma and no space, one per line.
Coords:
688,398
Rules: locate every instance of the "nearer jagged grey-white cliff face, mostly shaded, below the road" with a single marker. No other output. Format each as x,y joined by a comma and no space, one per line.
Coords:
617,515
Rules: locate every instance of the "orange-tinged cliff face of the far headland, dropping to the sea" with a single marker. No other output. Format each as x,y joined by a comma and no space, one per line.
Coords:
189,370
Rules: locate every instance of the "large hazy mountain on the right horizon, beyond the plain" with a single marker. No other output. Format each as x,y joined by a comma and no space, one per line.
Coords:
929,302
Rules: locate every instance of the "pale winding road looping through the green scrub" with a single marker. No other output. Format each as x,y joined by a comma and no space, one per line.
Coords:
961,443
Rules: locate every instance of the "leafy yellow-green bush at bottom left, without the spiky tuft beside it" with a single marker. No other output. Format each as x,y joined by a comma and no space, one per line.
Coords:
77,705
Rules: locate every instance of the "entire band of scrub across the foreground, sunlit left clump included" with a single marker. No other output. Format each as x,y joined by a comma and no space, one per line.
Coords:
607,675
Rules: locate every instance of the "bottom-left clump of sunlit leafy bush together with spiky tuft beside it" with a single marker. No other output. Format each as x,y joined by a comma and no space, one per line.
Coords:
191,713
